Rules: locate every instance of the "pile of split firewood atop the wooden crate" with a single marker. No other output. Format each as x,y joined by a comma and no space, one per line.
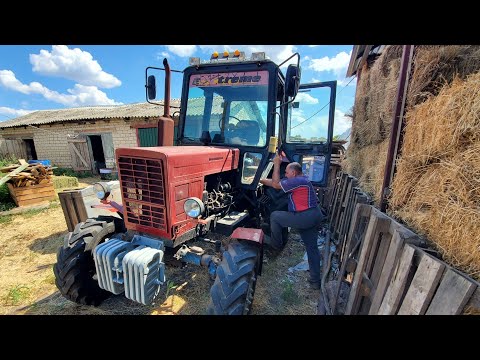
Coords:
24,174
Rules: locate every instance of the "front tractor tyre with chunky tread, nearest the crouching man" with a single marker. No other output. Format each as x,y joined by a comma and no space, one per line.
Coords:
234,286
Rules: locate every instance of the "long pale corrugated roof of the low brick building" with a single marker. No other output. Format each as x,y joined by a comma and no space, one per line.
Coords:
137,110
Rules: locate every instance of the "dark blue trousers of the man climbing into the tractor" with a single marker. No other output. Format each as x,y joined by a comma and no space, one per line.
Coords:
306,223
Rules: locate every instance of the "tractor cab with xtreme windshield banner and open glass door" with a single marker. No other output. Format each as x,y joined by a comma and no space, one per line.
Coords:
249,104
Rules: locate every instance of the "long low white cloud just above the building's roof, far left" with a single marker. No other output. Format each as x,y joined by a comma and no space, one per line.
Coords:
80,95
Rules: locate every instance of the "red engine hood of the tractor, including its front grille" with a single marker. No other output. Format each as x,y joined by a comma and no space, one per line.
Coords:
156,181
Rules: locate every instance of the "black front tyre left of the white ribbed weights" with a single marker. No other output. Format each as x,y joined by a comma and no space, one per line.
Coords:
75,266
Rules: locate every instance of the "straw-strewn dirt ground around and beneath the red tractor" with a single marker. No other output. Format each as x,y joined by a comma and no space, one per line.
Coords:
28,246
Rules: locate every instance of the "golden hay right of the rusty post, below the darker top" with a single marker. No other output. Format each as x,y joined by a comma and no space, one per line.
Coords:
437,185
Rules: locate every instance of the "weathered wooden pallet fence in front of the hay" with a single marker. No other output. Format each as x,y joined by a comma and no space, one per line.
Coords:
387,267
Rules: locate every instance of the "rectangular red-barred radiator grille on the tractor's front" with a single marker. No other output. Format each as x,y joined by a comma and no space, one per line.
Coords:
143,189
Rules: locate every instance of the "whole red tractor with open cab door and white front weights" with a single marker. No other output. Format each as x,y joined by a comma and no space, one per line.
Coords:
235,113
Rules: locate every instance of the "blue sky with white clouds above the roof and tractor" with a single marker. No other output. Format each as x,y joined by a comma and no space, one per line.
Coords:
43,77
